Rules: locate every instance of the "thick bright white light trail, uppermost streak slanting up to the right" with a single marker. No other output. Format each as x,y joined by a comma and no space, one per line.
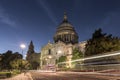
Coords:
93,57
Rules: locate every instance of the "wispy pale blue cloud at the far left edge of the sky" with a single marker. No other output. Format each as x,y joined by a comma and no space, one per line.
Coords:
5,18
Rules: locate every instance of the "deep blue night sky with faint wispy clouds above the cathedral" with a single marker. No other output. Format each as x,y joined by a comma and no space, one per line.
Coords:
24,20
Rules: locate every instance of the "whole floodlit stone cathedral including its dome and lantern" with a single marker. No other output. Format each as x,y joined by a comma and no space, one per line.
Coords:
65,40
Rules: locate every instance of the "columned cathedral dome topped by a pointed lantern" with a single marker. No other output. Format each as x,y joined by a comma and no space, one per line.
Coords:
66,32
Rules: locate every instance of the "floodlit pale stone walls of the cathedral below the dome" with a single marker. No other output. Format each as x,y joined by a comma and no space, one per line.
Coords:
56,50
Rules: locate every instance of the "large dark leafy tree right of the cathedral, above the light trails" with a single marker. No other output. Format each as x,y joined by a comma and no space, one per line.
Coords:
101,43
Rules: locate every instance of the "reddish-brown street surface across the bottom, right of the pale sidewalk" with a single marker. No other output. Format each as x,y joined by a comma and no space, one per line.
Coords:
72,76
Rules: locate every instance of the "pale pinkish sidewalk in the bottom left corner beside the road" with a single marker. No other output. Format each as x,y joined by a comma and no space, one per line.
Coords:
21,76
